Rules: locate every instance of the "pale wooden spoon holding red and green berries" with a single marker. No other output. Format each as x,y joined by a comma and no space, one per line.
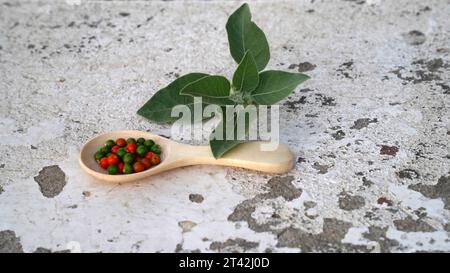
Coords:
247,155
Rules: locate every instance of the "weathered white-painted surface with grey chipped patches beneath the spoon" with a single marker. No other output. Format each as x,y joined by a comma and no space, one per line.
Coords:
372,123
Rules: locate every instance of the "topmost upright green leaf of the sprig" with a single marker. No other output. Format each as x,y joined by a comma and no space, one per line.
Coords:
244,35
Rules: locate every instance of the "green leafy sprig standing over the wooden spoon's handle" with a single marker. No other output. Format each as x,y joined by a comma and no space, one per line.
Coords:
249,85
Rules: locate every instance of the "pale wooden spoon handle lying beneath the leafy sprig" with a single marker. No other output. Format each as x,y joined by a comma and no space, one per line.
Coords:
248,155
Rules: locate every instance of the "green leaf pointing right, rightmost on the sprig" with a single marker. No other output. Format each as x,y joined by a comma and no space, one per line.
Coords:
275,86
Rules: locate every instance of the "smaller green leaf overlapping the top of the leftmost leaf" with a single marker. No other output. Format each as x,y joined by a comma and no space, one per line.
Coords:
212,89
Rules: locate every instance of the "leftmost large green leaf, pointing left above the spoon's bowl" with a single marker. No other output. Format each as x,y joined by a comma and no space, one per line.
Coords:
159,107
